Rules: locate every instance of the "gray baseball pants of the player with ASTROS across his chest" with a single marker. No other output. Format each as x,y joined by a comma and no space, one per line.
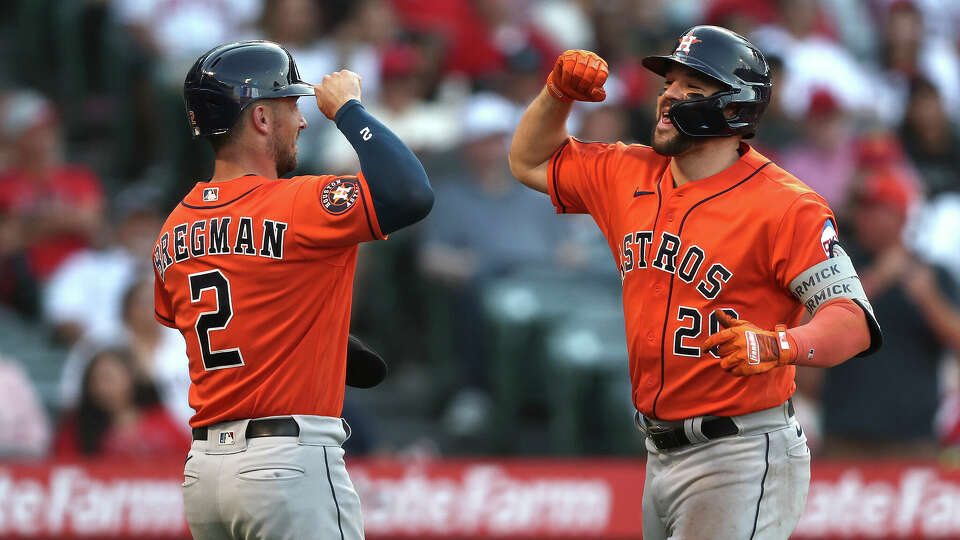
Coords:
752,485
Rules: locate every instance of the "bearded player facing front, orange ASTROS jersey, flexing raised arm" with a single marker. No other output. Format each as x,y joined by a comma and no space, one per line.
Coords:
708,234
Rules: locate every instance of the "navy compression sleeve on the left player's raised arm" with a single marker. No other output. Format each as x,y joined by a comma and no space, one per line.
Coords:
399,186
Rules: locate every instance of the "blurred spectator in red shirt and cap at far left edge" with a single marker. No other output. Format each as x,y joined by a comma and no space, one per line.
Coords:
59,205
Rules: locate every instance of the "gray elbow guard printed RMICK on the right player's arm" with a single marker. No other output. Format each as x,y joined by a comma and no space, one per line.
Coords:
832,279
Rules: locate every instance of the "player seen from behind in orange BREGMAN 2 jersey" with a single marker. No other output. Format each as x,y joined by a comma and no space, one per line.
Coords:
257,273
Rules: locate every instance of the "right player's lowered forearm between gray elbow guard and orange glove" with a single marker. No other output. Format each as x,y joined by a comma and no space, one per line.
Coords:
836,333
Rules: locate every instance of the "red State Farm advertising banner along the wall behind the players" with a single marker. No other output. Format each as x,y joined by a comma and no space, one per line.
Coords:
503,499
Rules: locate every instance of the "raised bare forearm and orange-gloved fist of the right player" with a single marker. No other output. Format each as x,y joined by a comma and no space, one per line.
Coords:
577,75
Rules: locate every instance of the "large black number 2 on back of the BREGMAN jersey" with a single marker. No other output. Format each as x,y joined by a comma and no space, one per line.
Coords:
214,320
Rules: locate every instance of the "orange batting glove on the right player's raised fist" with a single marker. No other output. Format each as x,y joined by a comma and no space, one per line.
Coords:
578,75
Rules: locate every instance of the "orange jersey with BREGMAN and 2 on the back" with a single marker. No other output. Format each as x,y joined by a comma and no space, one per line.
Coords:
258,276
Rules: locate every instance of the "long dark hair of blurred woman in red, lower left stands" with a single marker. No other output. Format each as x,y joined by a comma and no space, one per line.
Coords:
92,420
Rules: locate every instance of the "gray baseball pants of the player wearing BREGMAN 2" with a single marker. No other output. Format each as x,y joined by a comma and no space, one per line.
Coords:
276,488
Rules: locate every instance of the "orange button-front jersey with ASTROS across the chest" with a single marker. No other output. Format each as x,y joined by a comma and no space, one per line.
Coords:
734,240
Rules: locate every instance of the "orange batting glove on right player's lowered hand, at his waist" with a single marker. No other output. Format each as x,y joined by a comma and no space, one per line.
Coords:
745,349
